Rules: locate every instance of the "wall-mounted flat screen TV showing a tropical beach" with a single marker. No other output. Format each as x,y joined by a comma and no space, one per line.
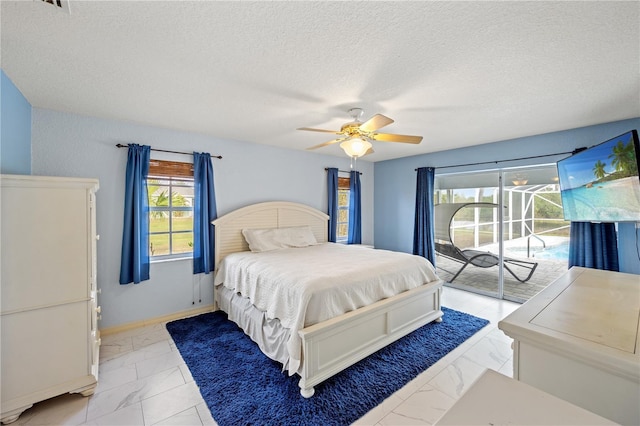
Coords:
601,183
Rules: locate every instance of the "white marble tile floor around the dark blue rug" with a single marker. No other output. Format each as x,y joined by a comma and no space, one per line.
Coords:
144,381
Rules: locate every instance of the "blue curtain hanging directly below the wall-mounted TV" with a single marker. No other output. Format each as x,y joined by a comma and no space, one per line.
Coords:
593,245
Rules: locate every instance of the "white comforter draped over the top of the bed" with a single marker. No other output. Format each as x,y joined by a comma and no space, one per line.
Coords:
304,286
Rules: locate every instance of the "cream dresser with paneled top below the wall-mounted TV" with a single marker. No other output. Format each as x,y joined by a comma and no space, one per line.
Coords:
578,340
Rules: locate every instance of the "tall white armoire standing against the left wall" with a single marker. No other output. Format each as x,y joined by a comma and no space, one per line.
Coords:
49,310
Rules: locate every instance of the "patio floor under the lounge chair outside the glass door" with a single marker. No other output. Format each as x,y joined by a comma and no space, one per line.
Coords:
485,280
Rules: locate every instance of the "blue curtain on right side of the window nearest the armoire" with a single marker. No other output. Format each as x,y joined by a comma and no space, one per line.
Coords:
204,211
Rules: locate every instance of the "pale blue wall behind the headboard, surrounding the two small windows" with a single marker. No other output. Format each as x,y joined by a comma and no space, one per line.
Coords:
79,146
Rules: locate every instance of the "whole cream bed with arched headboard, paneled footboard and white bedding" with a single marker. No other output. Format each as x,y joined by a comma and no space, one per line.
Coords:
311,342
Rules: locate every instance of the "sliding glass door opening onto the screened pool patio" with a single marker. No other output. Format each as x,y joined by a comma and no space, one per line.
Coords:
500,233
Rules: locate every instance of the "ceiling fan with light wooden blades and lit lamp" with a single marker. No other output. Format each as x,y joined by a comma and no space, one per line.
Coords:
355,135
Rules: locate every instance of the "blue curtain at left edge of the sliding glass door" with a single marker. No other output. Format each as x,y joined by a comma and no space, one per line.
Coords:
424,229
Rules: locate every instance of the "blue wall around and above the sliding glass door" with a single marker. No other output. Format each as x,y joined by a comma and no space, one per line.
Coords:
394,193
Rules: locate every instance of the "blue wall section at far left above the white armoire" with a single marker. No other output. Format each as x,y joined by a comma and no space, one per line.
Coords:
15,129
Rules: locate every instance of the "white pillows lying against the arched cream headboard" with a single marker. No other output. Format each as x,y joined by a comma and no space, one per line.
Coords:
260,240
